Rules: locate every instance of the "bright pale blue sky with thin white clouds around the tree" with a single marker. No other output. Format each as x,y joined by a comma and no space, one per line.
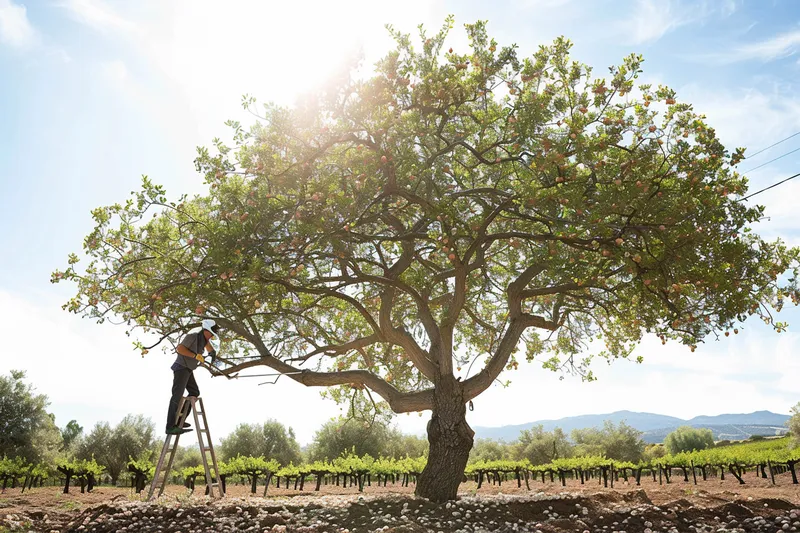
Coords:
96,93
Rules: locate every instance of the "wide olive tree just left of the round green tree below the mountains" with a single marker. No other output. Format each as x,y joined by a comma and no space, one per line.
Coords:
622,442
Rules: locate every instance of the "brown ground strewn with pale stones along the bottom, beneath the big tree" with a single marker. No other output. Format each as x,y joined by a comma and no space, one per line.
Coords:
585,509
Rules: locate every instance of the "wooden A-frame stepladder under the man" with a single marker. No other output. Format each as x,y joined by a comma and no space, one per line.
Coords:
195,403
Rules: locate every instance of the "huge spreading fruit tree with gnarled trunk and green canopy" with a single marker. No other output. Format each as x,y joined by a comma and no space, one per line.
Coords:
454,205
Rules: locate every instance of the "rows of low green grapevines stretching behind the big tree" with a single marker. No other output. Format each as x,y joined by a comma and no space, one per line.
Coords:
770,459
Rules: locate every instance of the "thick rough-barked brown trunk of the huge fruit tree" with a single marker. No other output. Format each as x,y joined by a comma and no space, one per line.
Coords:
450,439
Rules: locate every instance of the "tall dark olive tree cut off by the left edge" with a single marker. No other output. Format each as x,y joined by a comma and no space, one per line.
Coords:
26,428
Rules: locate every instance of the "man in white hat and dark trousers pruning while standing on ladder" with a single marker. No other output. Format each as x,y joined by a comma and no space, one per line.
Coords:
190,354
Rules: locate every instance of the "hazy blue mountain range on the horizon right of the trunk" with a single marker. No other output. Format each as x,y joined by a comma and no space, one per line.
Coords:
654,426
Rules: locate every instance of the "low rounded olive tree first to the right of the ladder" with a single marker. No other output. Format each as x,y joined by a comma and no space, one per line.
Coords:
271,440
